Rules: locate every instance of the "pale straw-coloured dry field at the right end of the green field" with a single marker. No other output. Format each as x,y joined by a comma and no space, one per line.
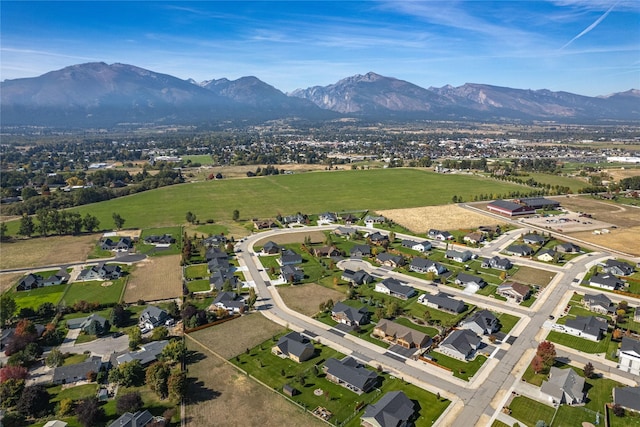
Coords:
448,217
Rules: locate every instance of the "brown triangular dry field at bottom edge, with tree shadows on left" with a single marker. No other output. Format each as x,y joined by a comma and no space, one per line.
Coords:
222,396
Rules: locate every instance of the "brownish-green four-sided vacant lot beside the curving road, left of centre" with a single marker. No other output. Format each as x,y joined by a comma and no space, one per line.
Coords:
247,332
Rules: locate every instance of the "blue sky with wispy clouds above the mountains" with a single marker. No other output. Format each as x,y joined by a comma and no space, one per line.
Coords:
589,47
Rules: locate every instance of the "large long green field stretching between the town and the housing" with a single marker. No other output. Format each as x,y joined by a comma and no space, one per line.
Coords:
265,197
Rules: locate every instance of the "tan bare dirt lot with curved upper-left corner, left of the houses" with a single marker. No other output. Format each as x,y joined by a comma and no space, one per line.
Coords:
155,279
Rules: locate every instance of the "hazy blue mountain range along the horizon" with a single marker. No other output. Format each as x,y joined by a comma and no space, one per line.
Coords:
101,95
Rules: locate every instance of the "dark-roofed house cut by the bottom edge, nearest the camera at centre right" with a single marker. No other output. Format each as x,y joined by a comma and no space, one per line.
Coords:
394,409
